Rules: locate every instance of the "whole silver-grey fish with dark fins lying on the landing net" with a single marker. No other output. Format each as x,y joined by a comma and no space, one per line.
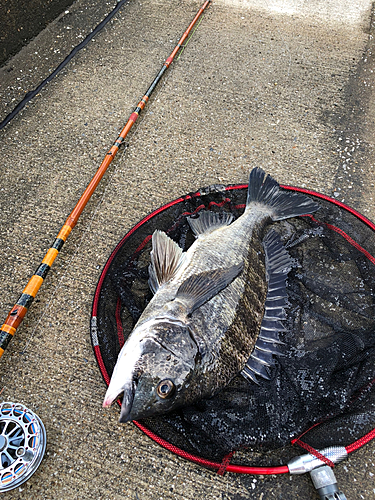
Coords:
217,309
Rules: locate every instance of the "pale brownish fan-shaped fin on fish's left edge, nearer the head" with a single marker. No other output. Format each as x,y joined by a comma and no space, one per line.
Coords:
166,257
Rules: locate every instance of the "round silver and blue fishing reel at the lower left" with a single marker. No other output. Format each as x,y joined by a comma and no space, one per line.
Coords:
22,444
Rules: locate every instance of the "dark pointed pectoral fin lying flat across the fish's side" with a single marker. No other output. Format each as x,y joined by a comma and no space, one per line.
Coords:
200,288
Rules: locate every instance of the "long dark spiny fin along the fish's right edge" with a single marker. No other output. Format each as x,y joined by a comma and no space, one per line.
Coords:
278,265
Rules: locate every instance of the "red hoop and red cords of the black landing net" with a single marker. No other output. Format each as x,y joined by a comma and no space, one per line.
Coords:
224,465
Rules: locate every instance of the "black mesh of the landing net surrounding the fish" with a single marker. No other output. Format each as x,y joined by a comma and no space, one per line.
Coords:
322,387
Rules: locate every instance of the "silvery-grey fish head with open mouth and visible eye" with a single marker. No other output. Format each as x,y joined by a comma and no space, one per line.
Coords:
154,373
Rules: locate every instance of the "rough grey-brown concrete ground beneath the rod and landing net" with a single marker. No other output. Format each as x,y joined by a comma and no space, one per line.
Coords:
287,85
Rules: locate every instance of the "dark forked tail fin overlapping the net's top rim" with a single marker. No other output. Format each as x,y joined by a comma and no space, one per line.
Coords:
263,189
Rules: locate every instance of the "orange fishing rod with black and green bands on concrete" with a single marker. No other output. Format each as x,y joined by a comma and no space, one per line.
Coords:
19,310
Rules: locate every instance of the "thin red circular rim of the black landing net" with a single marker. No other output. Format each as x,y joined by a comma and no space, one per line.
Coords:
225,464
